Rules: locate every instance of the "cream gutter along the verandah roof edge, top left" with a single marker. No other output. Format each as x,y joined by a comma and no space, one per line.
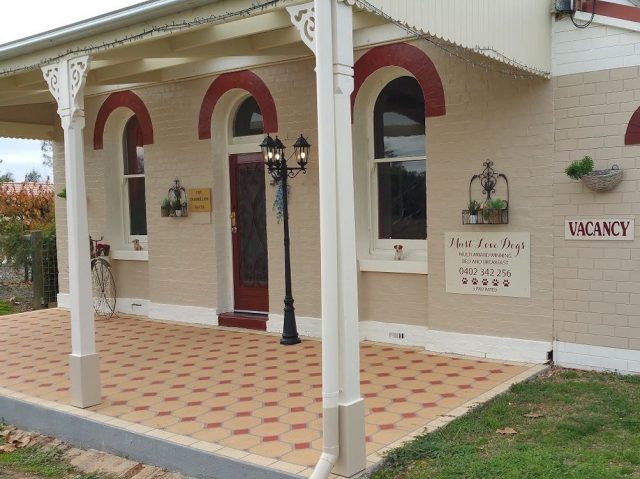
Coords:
109,21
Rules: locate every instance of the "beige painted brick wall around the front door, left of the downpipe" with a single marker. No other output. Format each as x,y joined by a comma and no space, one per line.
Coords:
182,267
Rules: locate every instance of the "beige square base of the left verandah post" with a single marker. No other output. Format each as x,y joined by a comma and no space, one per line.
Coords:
84,375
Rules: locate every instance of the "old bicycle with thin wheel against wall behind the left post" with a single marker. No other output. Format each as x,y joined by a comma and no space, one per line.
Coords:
103,284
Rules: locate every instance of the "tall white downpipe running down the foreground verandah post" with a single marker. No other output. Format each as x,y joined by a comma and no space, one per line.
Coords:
328,238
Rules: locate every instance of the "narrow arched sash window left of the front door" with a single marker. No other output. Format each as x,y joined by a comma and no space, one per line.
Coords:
133,176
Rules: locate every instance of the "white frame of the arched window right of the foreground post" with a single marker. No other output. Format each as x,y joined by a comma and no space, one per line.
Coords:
414,250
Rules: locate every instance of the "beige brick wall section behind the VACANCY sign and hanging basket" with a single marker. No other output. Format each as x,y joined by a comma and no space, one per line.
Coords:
597,283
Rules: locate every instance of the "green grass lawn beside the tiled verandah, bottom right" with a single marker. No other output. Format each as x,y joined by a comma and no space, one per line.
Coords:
569,424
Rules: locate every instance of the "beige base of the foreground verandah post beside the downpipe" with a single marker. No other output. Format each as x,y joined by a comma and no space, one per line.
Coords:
353,456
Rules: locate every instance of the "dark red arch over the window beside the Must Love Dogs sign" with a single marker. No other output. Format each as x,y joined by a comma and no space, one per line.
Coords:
412,59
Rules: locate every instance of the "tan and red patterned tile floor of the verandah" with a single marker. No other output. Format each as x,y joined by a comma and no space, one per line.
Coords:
241,391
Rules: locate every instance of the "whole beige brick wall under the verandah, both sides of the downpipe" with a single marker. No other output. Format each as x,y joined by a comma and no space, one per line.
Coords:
488,116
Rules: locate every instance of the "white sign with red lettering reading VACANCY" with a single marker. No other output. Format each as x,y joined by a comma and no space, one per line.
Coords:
620,229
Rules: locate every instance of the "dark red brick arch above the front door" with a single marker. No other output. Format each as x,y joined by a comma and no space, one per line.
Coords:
244,80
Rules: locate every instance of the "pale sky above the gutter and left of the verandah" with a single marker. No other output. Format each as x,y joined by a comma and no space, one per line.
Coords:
29,17
